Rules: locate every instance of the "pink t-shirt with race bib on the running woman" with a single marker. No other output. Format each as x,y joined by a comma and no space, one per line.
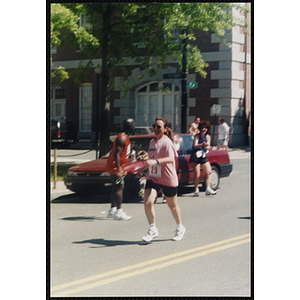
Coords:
164,174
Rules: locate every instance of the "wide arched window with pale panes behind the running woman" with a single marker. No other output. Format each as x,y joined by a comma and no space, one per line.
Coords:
158,99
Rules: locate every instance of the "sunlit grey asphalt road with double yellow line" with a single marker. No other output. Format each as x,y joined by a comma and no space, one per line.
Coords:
95,256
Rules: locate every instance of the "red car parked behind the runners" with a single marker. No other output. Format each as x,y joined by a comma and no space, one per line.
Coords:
91,177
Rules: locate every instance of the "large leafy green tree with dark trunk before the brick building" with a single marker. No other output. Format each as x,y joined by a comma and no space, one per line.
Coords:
137,31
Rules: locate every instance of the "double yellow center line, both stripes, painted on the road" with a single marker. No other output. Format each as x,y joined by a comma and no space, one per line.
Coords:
186,256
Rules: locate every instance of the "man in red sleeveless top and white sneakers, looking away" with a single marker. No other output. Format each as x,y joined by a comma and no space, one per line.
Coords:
115,166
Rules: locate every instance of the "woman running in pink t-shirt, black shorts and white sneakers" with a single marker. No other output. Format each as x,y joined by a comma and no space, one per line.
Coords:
162,174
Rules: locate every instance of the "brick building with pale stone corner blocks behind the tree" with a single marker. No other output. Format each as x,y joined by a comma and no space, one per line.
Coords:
228,83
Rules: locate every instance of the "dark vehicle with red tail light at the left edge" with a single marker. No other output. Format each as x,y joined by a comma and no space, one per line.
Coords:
62,133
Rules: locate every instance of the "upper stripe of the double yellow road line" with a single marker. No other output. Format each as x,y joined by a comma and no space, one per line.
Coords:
146,263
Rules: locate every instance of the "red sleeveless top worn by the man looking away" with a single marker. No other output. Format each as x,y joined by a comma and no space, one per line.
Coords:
111,163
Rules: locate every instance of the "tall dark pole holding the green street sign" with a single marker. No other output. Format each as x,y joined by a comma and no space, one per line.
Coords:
183,86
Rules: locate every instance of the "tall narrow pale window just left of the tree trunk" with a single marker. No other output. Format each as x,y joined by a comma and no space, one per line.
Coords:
85,107
